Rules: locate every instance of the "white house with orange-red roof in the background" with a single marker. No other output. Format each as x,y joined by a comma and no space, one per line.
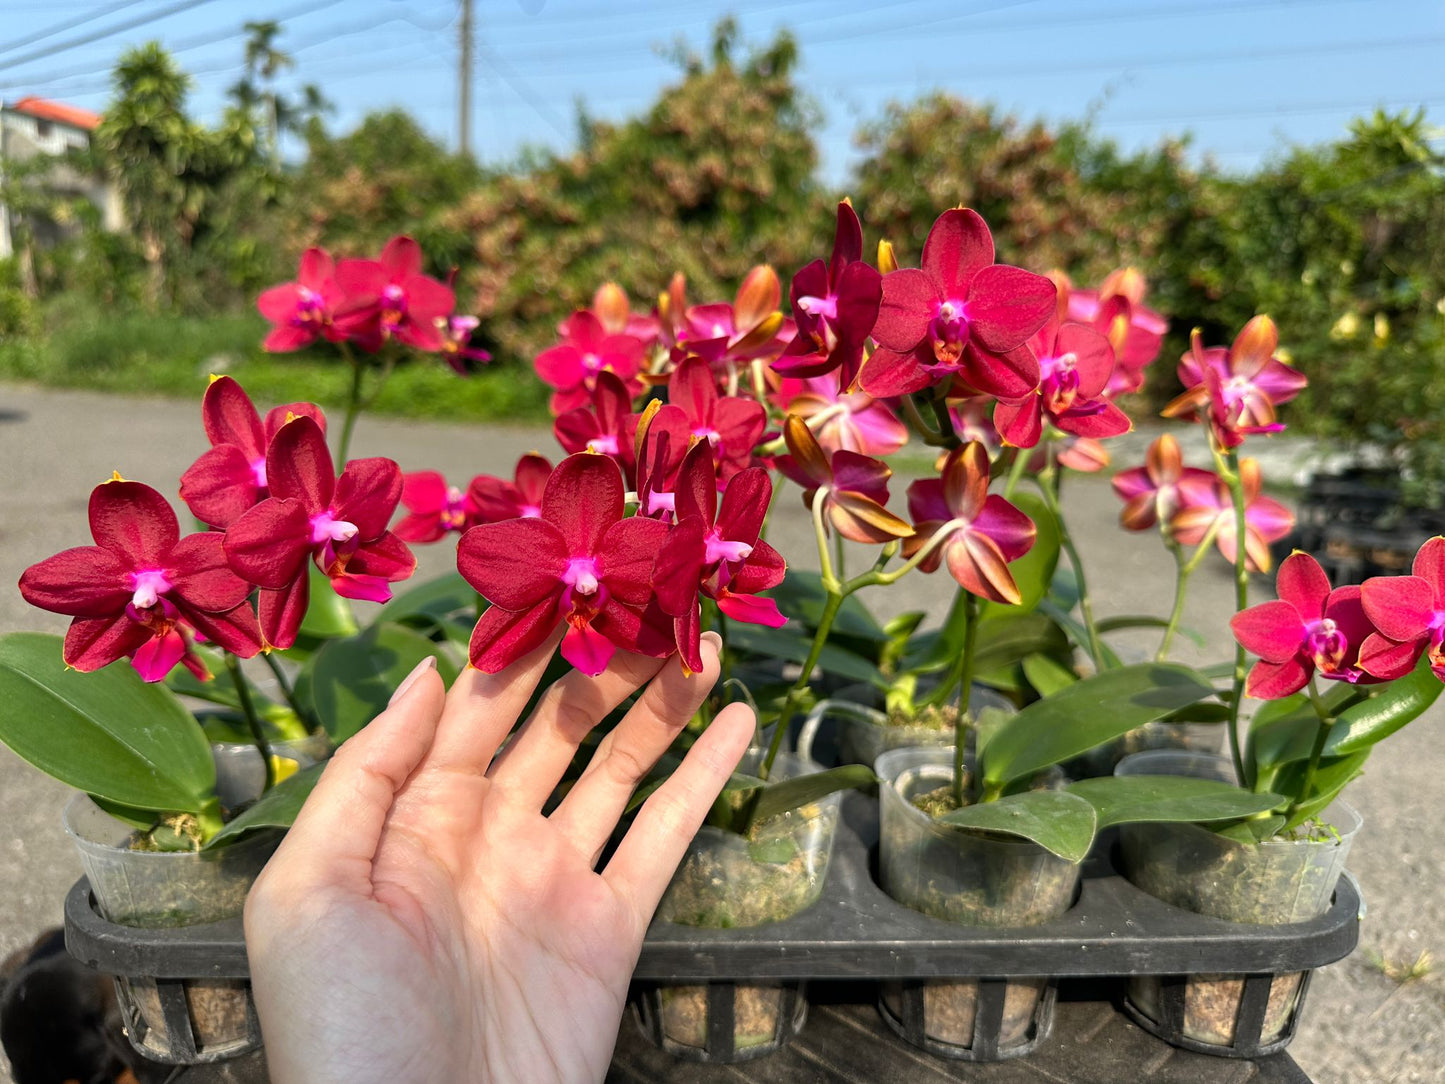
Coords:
35,128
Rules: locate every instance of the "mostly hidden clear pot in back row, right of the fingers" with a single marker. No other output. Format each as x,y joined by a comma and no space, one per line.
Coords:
865,732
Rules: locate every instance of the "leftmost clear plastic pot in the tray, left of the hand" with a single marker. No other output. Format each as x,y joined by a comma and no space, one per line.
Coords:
203,1020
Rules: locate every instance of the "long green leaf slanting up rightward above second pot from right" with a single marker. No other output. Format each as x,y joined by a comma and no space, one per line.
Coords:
1087,715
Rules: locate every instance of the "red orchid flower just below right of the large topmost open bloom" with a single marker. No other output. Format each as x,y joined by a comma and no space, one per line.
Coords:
1074,368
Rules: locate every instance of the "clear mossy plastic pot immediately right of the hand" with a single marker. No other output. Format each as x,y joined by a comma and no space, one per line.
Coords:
728,881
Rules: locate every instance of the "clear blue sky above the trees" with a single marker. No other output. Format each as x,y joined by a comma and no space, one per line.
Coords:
1245,77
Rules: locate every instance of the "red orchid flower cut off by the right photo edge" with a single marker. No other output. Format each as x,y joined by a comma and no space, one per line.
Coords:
1410,616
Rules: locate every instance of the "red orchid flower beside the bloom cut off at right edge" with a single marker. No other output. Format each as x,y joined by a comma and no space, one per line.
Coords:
1310,629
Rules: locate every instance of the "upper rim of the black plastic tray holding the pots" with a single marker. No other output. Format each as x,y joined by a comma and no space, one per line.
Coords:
853,932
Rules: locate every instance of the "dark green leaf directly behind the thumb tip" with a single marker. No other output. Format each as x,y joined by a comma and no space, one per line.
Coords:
353,680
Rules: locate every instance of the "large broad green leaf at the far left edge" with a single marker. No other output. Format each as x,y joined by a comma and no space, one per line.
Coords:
108,734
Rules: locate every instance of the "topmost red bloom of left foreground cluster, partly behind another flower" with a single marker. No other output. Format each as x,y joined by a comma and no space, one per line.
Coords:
232,476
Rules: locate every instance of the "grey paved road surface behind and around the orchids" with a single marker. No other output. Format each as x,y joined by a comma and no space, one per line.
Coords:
1362,1027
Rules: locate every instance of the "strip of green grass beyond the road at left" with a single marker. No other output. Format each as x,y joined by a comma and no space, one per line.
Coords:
173,356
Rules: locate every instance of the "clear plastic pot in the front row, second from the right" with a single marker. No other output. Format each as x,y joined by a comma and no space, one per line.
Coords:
973,879
